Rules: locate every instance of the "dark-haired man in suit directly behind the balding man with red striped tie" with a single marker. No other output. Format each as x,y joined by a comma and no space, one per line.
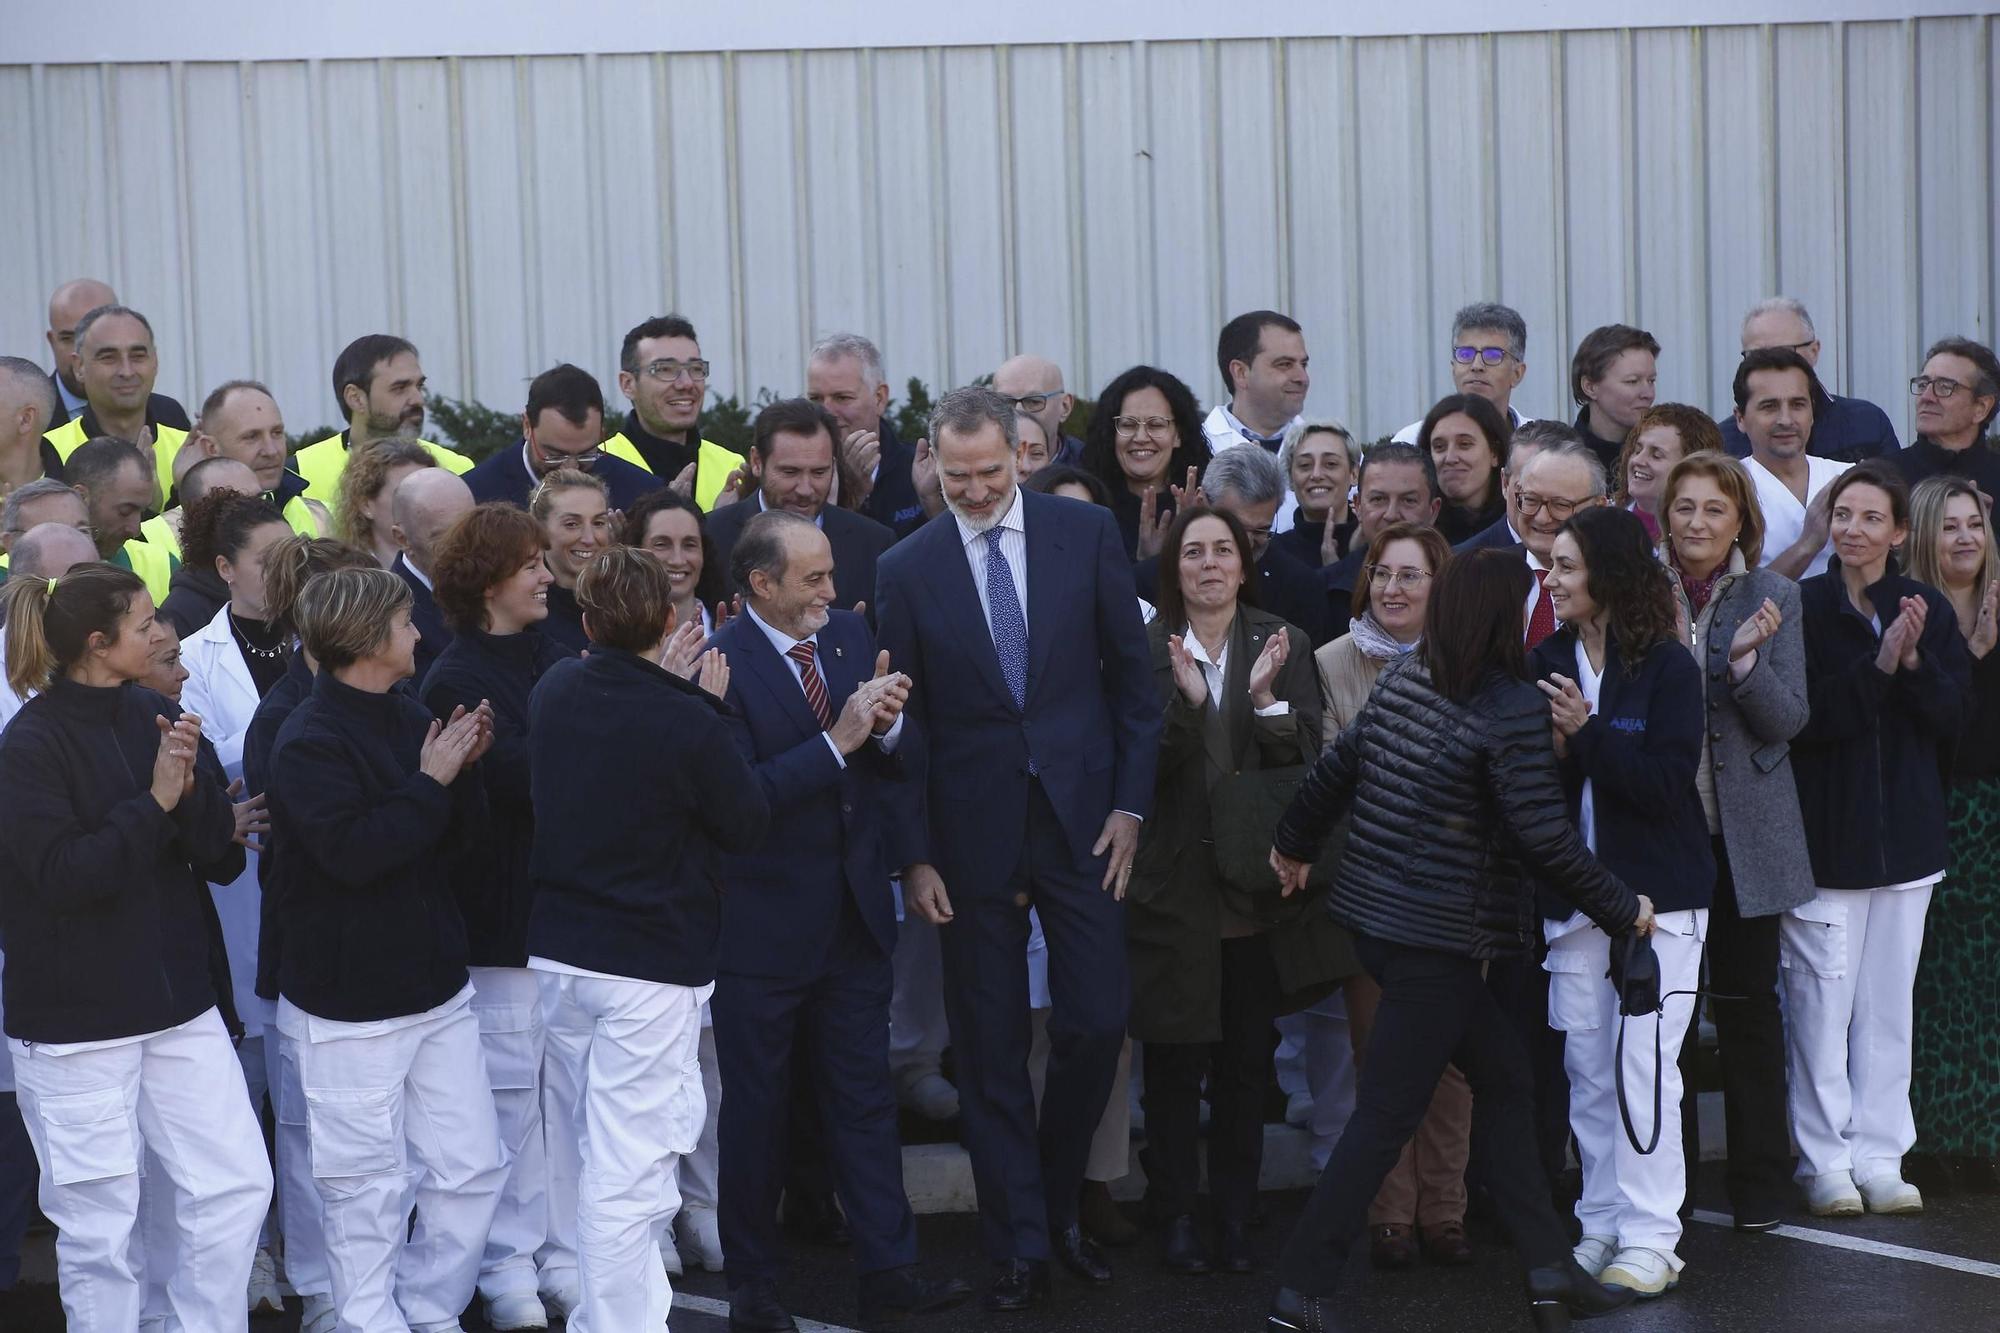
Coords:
793,463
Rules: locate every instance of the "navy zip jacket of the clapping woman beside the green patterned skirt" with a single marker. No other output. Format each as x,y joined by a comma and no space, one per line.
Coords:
1875,754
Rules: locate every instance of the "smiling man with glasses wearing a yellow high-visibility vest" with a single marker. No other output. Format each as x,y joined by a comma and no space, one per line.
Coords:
663,373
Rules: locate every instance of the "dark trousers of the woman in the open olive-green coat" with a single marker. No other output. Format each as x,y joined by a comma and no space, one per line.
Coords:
1237,1070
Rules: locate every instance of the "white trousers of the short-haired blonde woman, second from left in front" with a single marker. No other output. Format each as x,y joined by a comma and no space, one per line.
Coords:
399,1112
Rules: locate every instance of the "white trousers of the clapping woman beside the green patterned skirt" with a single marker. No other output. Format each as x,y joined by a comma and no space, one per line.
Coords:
1849,972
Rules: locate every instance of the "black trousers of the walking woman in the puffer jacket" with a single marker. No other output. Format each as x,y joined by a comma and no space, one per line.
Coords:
1435,1012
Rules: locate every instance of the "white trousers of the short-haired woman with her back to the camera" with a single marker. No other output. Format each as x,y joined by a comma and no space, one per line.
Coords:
631,1050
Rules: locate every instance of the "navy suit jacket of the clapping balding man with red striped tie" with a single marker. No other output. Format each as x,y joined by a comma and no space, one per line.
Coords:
831,826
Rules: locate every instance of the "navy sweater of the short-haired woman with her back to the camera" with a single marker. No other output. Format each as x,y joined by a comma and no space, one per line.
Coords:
639,790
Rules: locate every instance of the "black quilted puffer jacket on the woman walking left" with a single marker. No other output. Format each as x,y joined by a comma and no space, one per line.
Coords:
1453,810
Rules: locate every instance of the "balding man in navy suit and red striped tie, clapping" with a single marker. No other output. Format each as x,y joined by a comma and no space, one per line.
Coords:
809,926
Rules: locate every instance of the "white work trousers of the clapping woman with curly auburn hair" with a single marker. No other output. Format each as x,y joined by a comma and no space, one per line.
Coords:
509,1006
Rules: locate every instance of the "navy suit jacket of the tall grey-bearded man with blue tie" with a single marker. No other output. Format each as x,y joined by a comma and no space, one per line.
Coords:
1091,724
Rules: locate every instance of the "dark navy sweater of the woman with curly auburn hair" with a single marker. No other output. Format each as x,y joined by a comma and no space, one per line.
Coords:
491,878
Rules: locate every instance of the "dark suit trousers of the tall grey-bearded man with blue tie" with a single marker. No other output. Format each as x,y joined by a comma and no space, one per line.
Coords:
1029,1178
